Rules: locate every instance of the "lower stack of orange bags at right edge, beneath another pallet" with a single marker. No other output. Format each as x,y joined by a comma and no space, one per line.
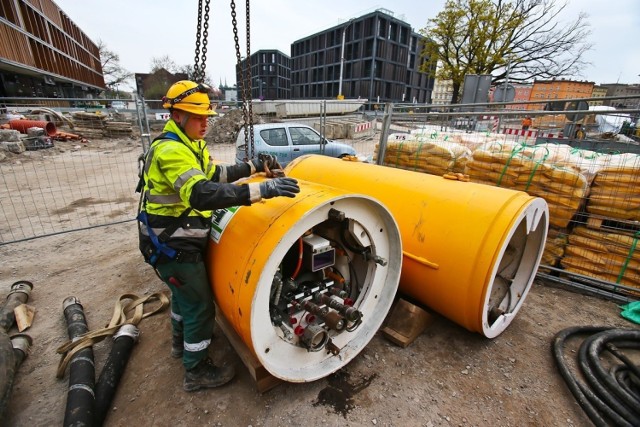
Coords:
613,257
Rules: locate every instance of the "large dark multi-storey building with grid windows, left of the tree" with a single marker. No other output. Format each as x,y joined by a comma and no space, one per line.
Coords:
381,62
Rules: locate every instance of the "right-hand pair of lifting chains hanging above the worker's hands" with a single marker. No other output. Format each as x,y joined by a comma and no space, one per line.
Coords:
245,80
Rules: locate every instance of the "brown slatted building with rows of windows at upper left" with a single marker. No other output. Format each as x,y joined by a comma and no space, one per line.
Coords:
44,54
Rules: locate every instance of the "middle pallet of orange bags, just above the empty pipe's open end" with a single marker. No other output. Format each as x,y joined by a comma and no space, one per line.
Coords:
521,167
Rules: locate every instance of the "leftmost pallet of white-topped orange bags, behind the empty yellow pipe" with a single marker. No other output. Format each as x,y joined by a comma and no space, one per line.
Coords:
423,154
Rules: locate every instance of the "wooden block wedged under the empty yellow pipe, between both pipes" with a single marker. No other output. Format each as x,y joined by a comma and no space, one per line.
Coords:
405,323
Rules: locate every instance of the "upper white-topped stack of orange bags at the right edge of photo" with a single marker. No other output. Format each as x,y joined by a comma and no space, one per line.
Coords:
615,191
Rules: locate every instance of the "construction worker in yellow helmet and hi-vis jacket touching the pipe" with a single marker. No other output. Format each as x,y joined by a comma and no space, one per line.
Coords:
181,188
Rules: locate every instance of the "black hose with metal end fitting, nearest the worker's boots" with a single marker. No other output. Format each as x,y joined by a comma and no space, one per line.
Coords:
123,342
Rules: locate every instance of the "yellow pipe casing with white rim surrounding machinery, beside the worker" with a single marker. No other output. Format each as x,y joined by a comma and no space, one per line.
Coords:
247,248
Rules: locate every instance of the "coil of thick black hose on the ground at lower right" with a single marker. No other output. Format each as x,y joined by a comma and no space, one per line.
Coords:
607,397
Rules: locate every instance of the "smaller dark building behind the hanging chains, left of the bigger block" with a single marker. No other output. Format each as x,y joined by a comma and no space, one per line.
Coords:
270,75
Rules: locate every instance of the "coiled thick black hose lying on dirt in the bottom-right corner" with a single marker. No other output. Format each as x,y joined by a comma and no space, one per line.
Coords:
603,406
